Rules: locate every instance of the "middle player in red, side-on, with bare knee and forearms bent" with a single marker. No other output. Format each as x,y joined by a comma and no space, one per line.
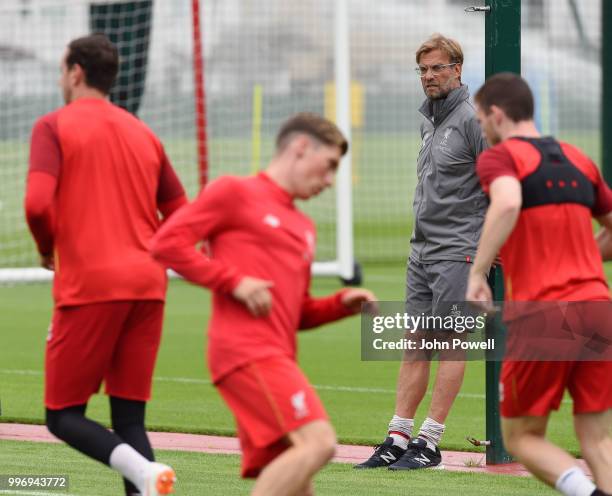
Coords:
260,249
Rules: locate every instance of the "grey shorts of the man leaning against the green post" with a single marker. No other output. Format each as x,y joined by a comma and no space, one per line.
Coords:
435,287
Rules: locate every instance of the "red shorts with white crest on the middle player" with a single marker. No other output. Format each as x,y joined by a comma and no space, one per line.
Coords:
269,399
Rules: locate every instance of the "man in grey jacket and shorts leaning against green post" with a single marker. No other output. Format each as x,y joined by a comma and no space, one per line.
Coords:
449,208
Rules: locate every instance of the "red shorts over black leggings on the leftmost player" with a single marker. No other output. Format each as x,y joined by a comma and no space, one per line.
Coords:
112,341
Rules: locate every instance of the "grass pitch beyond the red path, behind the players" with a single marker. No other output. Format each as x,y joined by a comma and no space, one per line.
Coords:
359,396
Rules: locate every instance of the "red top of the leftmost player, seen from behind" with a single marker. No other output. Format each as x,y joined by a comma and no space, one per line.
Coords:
96,180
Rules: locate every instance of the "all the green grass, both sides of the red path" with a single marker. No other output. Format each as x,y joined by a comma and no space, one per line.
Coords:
359,397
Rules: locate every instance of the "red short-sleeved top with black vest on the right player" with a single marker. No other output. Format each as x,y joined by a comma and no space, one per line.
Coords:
551,254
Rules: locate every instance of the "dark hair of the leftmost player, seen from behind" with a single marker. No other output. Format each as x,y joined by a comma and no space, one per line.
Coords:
98,58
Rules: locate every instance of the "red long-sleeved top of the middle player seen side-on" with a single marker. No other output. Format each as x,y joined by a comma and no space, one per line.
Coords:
252,228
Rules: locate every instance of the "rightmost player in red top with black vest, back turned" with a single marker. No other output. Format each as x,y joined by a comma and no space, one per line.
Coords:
543,195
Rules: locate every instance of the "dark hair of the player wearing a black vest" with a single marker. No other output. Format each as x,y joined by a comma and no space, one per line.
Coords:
508,91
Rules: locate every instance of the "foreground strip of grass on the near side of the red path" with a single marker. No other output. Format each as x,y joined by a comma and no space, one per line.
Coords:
216,475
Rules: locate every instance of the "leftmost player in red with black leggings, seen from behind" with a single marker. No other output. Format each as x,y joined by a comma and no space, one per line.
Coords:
97,179
